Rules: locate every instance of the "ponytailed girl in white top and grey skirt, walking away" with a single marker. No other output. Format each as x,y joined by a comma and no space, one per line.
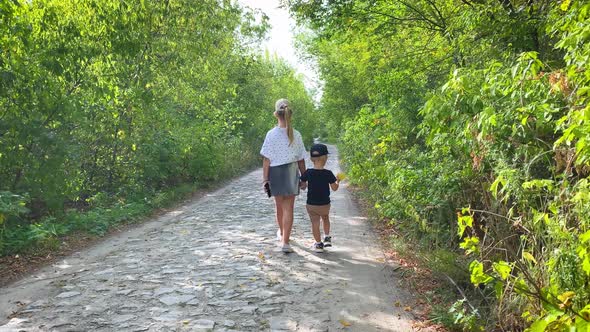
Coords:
283,162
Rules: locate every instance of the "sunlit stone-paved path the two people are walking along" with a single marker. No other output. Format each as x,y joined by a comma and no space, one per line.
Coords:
215,265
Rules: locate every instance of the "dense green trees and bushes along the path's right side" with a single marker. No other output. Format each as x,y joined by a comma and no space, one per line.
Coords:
476,109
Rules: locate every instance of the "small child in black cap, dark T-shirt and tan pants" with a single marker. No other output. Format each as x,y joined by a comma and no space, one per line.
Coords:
319,181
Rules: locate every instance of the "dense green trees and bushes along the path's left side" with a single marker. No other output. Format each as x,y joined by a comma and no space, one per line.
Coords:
110,108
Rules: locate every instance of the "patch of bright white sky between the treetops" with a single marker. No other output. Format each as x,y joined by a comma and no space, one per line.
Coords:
281,38
